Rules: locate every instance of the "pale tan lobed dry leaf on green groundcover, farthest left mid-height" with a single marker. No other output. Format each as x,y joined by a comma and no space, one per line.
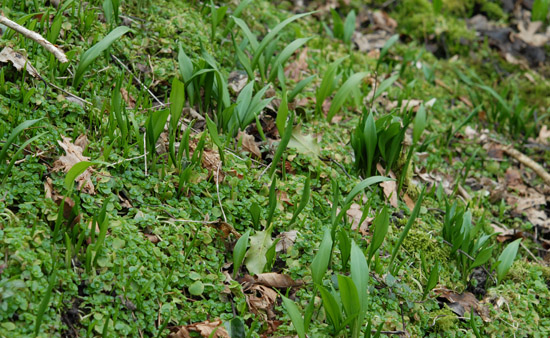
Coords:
72,157
